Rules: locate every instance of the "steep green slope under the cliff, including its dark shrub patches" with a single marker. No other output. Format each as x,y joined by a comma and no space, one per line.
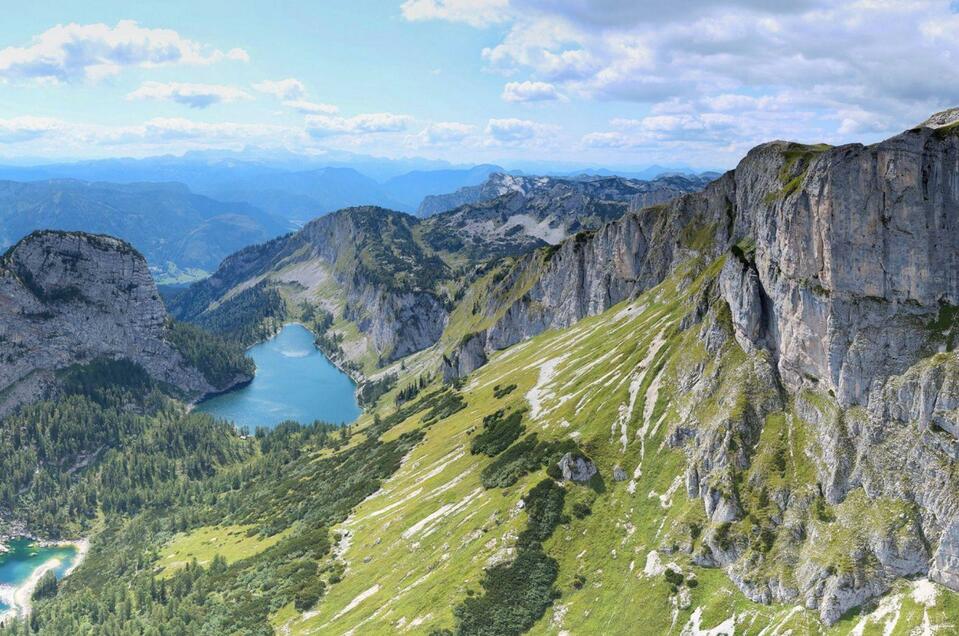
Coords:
634,389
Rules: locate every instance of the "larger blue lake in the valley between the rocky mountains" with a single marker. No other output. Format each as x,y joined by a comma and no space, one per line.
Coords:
294,381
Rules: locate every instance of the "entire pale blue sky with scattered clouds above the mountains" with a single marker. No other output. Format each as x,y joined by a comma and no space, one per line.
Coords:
613,83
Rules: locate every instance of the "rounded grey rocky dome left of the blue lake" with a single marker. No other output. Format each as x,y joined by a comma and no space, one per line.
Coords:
70,297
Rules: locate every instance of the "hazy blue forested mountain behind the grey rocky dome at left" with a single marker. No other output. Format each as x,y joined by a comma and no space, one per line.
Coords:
182,234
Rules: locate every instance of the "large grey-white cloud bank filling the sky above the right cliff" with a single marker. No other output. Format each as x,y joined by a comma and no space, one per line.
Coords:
812,69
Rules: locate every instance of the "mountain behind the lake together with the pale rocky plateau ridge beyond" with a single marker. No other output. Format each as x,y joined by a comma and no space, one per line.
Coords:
389,280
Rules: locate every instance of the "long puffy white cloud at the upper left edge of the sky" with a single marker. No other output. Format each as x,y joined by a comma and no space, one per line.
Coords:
74,52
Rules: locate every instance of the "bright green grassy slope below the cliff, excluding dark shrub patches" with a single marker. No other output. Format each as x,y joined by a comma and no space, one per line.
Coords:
416,548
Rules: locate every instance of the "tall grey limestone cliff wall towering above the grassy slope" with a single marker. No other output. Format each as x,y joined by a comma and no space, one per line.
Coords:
840,272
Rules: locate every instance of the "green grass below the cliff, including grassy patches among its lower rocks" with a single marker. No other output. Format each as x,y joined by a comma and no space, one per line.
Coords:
422,545
